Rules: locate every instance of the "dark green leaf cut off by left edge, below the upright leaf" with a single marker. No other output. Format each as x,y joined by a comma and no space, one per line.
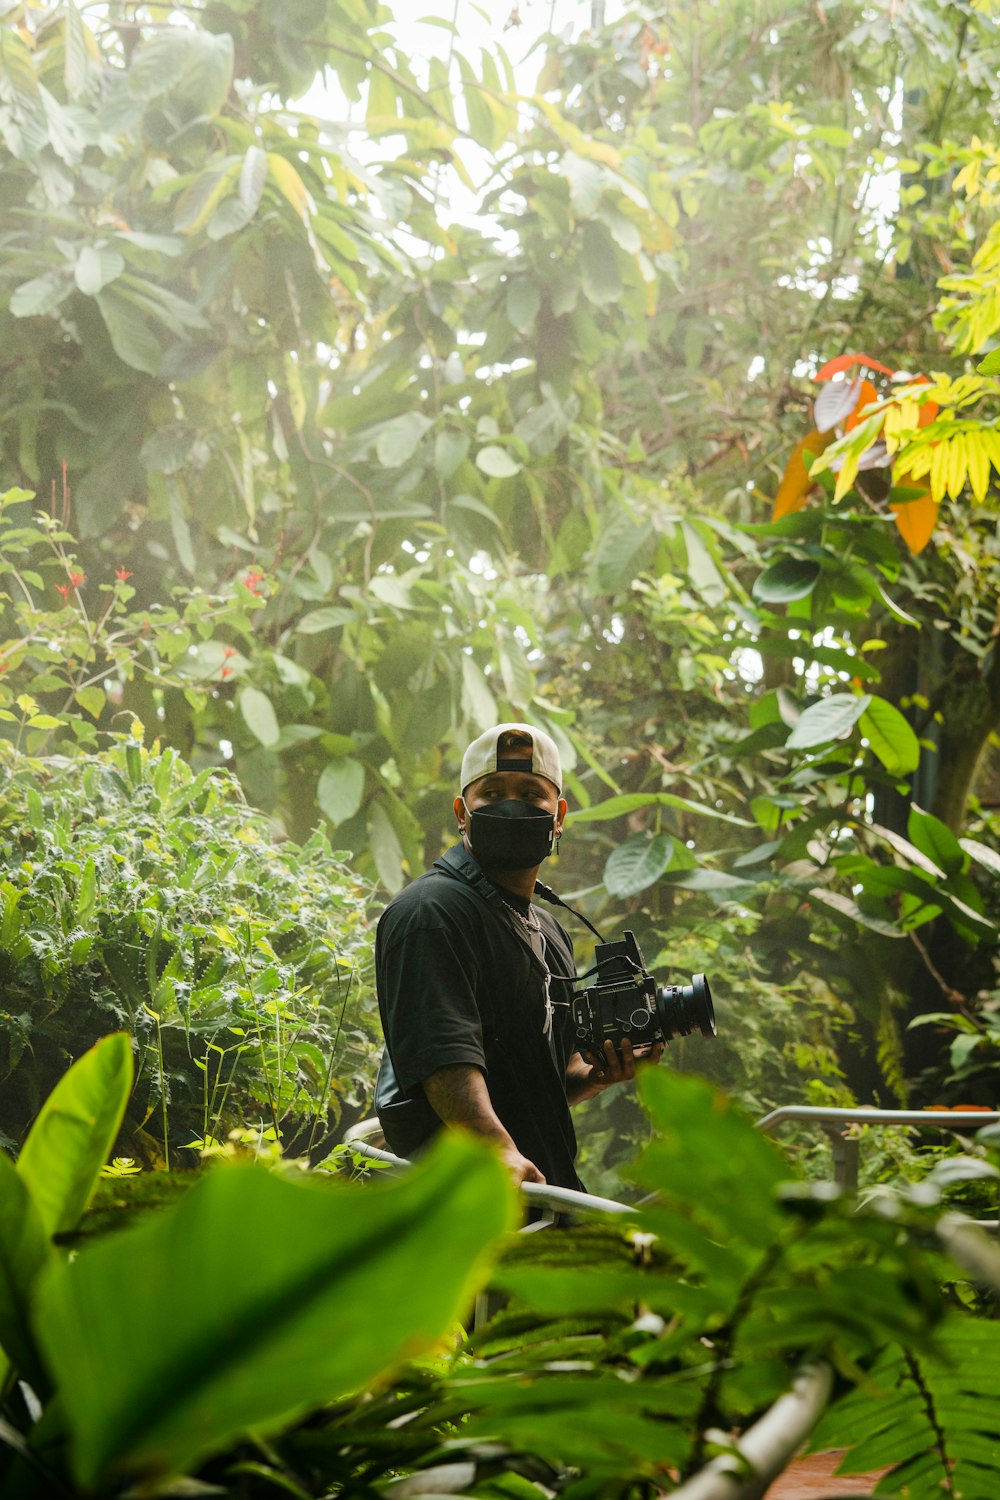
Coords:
25,1252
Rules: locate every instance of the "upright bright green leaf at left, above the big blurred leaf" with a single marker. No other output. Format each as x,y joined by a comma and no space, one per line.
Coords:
71,1139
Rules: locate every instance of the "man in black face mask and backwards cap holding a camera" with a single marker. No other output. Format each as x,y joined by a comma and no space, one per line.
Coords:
475,982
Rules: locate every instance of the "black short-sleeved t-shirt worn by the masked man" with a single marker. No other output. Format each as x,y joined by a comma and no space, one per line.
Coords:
457,985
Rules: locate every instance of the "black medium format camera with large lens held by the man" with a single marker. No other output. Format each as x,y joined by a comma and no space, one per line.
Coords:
626,1001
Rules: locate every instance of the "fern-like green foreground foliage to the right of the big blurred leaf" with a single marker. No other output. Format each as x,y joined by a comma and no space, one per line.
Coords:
620,1361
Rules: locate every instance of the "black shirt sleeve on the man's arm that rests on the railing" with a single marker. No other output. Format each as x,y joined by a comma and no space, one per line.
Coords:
427,985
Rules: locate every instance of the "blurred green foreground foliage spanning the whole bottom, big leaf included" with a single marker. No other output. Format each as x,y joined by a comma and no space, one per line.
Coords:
614,1363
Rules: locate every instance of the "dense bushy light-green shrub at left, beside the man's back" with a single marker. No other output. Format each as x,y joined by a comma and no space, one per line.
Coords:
142,896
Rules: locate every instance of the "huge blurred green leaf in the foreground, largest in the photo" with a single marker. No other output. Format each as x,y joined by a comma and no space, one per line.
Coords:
257,1298
